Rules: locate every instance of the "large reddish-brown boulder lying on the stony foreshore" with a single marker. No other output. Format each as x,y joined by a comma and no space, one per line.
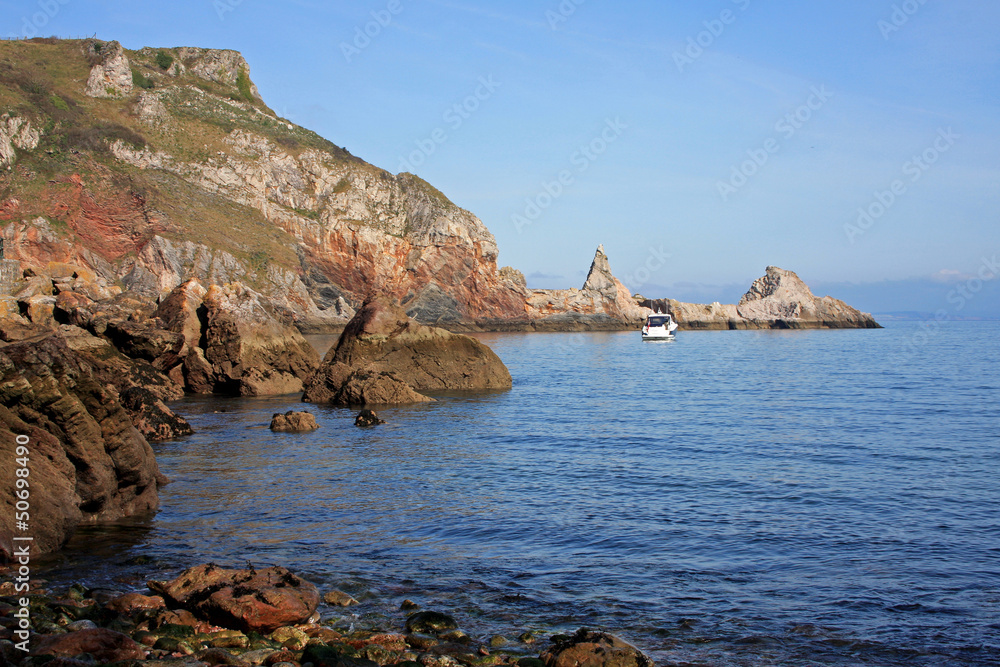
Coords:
248,600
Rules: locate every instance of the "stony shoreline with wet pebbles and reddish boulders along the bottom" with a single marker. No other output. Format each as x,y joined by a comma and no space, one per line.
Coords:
210,615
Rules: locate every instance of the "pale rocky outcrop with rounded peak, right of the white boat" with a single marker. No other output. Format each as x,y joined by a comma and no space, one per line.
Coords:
777,300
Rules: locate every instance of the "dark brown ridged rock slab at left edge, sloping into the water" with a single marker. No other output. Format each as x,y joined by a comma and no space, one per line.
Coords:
87,460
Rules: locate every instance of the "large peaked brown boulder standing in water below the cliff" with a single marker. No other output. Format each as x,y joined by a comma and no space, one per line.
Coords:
383,356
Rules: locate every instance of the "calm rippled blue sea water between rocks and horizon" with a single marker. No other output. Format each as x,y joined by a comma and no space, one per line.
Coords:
734,498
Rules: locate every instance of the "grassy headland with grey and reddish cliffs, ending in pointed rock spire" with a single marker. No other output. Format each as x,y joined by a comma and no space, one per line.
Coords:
149,168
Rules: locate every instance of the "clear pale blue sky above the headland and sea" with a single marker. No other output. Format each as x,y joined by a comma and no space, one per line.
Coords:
698,141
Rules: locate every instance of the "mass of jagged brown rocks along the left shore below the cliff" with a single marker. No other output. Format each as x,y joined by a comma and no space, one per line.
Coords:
88,372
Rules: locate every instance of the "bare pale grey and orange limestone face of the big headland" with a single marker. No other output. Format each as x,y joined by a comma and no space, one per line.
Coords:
360,231
